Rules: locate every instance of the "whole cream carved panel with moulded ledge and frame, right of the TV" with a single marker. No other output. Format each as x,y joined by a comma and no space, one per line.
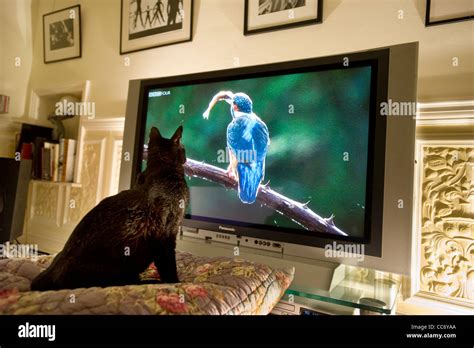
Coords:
442,271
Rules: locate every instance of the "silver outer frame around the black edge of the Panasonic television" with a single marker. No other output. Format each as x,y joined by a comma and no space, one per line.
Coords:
395,249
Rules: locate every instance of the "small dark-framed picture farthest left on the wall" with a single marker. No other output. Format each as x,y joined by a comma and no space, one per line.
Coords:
62,34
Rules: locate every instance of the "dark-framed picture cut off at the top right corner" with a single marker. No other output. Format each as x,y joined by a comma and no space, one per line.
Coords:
448,11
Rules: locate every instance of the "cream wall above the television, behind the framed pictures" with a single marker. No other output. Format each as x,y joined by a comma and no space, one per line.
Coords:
348,25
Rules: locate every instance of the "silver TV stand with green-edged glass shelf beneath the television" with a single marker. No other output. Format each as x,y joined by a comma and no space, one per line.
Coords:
318,286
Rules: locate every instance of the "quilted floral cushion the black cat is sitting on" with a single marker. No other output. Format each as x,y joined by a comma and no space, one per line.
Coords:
217,285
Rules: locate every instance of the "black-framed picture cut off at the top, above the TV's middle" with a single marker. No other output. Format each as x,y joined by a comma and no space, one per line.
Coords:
268,15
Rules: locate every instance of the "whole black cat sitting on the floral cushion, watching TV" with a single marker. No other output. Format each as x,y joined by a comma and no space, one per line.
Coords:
123,234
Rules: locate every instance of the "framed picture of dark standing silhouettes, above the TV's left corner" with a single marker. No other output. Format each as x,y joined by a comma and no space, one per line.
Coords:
148,24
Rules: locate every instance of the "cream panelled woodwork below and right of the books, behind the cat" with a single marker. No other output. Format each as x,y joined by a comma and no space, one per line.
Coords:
55,208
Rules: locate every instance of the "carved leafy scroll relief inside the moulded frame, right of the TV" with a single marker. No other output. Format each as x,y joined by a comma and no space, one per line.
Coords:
447,223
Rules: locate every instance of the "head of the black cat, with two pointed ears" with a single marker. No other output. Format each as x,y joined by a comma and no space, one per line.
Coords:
166,152
